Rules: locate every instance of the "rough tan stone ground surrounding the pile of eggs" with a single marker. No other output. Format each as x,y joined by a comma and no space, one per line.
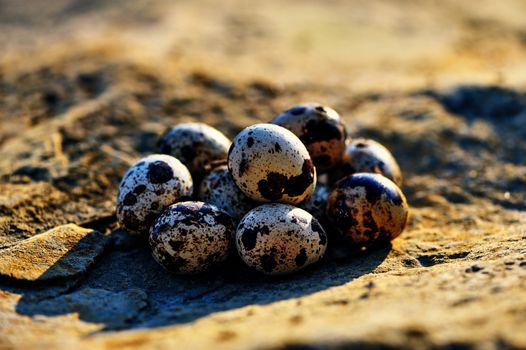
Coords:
440,83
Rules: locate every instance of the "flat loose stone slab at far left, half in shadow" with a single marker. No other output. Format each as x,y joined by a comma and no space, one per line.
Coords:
64,252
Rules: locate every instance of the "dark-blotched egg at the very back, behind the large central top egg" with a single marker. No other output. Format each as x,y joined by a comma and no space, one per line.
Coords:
320,129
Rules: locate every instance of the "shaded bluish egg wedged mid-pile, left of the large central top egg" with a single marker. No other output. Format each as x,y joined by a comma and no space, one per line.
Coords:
218,188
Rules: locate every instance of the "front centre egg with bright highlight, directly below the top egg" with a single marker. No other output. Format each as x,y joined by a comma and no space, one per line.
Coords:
279,239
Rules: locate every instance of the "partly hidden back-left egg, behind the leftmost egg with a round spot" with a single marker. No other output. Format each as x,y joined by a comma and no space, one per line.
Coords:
195,145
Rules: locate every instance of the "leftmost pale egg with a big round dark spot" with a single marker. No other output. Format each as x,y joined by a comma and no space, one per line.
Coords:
147,188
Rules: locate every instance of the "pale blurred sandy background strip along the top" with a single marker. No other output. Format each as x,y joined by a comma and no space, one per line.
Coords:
365,45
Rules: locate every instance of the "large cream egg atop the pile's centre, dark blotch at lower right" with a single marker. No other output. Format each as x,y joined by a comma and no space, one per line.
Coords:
270,164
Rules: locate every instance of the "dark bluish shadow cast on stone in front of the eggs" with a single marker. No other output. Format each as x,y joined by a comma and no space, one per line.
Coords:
128,289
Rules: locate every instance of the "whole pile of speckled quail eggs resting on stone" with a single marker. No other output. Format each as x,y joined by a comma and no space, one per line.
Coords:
264,195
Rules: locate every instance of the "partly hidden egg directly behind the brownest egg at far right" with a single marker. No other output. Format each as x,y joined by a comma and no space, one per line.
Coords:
368,156
